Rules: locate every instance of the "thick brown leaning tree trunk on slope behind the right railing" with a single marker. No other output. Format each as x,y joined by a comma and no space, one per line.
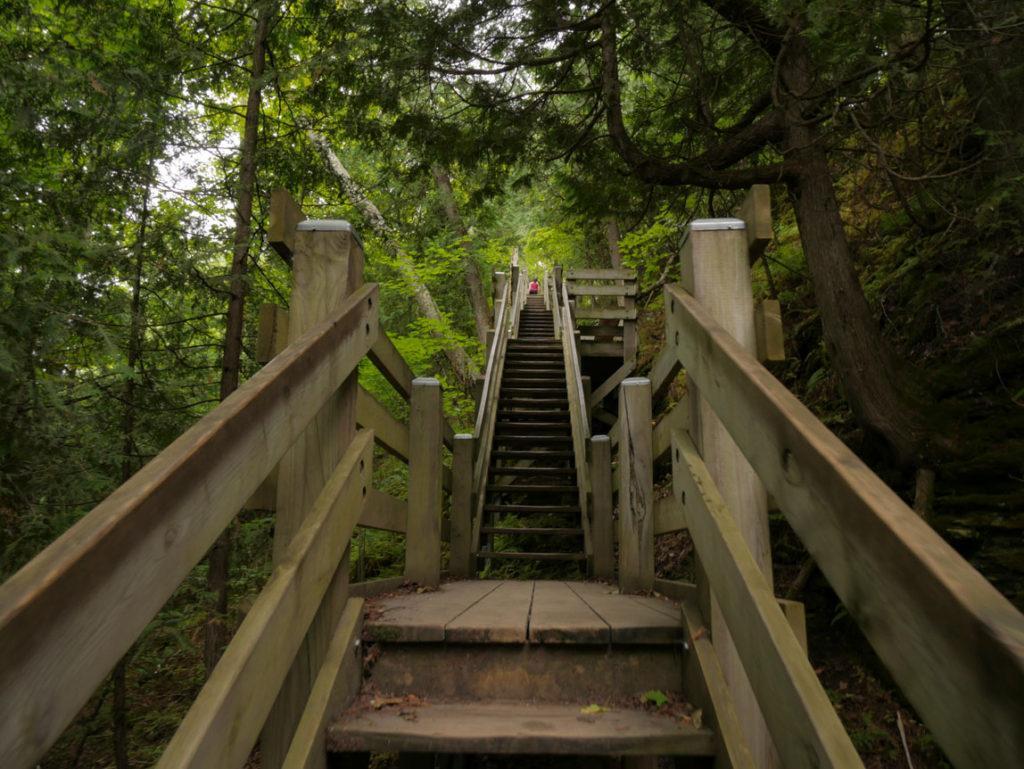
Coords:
875,389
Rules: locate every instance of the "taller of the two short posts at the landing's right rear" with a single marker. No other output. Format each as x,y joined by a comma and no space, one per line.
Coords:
636,488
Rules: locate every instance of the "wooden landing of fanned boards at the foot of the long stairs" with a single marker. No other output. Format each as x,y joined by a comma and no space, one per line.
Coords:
517,613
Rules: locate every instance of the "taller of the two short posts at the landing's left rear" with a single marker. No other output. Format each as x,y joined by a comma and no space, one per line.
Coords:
423,532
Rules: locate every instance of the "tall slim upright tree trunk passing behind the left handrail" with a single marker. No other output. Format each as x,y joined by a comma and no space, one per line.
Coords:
216,632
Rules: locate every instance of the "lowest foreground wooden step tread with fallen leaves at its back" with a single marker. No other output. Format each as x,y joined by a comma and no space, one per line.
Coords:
516,729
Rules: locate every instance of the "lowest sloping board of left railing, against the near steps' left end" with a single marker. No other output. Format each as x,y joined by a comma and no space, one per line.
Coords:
336,687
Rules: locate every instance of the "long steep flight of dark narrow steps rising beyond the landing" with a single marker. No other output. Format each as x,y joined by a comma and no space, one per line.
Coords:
532,505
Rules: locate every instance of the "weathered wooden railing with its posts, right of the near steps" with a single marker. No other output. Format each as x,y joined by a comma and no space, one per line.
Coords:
951,642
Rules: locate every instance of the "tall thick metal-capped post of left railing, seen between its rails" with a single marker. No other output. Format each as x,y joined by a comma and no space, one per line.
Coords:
327,267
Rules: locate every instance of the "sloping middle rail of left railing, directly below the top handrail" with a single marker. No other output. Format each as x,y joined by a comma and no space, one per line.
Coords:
224,723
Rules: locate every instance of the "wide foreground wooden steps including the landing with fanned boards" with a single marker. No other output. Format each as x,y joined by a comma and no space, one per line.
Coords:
524,668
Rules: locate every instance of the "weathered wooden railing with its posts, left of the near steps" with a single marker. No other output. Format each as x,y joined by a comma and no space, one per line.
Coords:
73,612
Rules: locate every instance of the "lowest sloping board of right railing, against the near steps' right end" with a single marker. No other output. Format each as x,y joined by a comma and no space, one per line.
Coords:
706,687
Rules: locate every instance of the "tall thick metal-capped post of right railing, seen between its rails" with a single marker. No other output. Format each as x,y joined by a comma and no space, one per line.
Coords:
716,270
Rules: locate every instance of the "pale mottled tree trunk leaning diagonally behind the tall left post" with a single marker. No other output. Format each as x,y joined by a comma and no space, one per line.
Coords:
463,366
